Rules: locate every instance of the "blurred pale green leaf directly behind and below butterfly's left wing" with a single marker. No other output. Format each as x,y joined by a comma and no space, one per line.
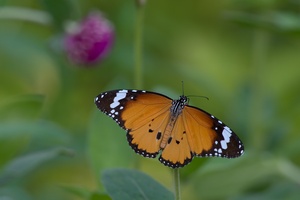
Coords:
107,144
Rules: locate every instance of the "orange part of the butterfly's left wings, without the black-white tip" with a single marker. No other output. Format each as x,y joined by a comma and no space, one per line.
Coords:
146,118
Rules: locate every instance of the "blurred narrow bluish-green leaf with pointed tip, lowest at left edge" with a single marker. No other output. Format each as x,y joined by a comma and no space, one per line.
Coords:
25,164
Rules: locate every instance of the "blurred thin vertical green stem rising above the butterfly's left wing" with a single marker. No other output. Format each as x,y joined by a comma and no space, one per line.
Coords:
138,48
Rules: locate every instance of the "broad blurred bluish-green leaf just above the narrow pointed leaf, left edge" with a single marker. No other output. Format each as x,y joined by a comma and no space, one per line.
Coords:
16,136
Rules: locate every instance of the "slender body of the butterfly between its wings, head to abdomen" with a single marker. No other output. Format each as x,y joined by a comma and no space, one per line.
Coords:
175,111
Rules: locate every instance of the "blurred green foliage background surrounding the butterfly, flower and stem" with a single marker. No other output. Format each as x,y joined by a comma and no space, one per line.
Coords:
243,55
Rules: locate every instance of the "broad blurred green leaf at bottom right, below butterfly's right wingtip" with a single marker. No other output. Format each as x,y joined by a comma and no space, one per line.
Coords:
231,177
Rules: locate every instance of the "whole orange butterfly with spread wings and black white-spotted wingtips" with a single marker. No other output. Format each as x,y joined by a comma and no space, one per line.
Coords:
157,124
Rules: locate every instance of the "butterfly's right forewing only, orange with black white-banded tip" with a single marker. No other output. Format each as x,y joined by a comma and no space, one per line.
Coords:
208,136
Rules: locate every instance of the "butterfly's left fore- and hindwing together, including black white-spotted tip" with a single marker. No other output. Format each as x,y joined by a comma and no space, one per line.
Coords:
143,114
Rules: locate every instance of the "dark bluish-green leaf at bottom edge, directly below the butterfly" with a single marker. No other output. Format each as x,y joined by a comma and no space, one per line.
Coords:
129,184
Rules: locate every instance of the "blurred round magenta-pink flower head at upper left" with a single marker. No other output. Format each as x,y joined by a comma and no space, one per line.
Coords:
90,40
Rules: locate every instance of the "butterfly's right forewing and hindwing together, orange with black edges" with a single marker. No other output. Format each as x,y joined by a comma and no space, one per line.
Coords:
197,133
